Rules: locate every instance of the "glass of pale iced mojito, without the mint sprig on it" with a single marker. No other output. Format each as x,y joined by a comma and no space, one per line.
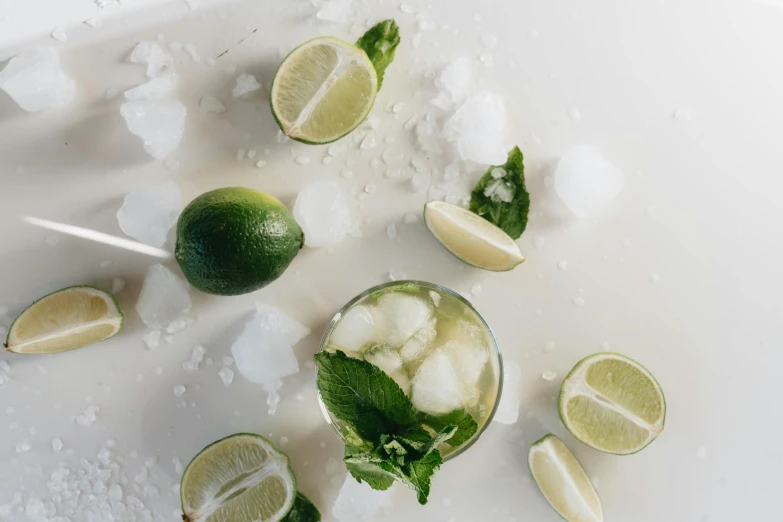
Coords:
431,342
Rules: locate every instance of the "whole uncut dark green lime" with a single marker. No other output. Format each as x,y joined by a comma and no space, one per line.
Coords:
235,240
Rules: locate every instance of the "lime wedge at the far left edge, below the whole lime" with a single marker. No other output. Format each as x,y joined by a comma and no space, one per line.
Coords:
67,319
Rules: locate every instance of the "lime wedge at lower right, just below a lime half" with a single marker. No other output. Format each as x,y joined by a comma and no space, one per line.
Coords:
563,481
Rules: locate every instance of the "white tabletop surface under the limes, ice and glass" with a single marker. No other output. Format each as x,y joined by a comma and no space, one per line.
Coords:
681,272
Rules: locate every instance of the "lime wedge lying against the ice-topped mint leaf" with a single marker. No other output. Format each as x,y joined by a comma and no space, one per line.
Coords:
472,238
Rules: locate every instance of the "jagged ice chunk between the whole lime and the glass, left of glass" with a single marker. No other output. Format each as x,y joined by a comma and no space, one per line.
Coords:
263,353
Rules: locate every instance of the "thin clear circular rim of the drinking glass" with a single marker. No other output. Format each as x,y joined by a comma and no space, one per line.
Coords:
433,286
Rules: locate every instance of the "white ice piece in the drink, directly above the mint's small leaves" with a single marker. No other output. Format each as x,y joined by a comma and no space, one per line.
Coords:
436,387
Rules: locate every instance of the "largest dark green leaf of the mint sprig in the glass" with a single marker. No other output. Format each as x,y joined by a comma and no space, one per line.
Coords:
362,395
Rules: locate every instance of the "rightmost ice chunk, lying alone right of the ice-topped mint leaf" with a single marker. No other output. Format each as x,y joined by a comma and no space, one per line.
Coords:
586,181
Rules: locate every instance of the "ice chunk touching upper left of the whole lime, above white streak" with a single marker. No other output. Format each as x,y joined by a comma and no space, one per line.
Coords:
148,213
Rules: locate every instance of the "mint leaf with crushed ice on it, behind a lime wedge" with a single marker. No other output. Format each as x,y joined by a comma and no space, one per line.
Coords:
501,197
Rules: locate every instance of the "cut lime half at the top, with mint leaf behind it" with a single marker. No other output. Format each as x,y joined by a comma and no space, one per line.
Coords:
323,90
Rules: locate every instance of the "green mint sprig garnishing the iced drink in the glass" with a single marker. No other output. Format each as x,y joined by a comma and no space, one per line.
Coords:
389,440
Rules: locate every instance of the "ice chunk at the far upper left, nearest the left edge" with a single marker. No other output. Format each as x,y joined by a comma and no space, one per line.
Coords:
35,80
